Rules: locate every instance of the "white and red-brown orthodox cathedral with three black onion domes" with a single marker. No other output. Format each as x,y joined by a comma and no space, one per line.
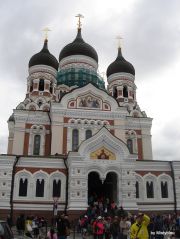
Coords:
72,137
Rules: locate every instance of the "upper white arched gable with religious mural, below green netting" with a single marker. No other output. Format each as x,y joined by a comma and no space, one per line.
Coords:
89,98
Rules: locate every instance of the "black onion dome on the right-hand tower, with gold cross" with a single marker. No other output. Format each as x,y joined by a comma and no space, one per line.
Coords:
120,65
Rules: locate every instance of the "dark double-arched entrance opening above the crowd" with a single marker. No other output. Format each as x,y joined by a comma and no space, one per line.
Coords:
98,189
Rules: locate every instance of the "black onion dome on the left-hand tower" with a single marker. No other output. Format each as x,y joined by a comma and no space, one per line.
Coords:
44,57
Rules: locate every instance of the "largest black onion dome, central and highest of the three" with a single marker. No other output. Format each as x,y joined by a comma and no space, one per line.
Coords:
78,47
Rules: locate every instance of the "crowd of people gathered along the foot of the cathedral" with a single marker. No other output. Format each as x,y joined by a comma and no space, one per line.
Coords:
102,220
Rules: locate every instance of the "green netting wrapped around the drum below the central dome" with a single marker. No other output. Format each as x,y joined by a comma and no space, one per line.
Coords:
79,77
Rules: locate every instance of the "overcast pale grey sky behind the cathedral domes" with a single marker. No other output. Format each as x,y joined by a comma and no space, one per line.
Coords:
151,42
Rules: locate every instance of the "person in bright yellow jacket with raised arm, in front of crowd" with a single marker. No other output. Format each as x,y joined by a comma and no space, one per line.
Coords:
139,228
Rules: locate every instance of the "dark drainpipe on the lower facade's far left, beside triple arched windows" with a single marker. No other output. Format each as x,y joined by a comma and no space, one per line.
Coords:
12,187
